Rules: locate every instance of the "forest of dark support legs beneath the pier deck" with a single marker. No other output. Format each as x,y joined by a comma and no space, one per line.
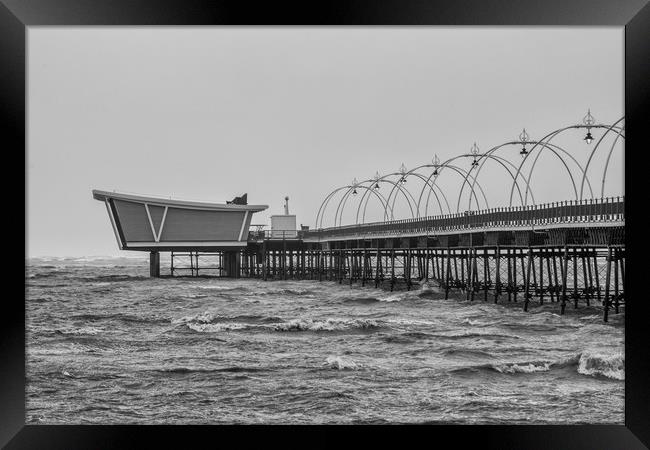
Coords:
568,267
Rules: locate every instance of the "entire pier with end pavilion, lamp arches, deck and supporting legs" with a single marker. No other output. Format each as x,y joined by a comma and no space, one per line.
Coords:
569,253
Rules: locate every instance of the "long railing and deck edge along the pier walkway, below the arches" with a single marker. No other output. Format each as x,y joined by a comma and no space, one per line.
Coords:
609,209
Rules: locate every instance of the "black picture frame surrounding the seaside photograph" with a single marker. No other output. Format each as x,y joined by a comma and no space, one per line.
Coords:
634,15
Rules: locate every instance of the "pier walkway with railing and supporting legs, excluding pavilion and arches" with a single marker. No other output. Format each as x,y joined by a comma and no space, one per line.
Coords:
569,254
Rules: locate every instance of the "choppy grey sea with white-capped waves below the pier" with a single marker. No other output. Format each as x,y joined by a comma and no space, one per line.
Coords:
106,344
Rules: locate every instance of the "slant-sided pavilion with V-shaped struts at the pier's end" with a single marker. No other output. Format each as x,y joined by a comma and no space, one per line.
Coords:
155,224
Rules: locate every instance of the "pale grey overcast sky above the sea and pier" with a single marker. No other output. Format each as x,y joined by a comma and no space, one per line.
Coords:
209,113
